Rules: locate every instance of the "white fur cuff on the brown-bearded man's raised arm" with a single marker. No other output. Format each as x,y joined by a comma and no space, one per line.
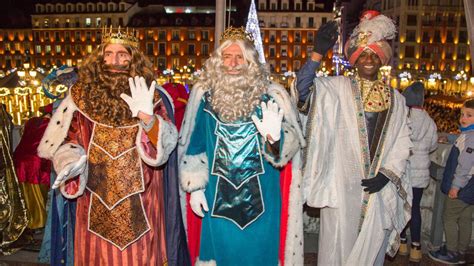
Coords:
167,139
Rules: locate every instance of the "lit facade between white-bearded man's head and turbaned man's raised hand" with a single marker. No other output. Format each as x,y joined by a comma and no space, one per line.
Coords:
288,29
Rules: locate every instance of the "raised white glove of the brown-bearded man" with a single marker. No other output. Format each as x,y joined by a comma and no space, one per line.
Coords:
142,96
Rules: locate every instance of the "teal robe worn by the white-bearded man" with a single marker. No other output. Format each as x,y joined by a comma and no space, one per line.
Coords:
223,240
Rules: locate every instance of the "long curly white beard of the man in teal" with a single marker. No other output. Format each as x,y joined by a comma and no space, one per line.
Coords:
233,97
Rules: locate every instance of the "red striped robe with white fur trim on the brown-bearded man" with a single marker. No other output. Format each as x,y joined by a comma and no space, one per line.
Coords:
154,246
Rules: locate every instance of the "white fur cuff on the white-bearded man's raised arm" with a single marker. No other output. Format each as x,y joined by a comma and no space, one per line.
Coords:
289,149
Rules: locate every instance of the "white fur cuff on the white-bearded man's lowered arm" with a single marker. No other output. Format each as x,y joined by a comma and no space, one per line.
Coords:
194,172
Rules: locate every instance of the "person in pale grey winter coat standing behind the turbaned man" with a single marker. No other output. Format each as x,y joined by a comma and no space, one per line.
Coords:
424,138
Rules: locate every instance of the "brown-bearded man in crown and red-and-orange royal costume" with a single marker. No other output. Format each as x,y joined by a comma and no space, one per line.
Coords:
111,141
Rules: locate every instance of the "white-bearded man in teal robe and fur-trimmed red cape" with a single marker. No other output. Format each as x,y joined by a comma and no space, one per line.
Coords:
239,134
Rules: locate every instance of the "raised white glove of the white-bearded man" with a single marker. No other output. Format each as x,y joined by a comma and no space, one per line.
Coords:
270,125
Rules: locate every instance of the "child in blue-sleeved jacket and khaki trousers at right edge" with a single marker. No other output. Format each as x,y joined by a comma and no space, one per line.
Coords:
458,184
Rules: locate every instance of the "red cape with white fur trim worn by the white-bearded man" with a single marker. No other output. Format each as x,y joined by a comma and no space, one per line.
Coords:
194,175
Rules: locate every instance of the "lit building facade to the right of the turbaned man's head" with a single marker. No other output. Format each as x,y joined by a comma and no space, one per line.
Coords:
432,39
